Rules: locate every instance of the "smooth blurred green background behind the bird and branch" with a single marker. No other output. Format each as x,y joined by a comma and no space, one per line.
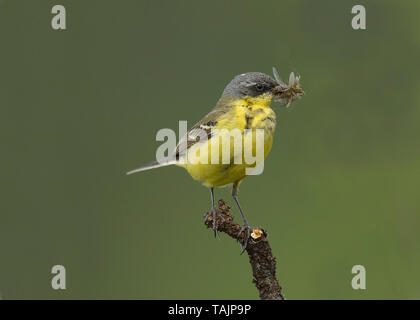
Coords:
82,106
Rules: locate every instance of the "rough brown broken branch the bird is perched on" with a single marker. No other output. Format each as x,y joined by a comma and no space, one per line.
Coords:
261,258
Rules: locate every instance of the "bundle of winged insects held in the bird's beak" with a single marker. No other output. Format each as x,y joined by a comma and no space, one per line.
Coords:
287,93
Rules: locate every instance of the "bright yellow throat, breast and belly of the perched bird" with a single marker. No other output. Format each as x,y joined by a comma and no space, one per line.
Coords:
231,166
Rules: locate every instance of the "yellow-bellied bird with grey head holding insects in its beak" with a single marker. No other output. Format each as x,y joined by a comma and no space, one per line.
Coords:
244,107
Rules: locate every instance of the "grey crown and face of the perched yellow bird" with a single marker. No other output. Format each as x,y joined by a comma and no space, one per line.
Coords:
250,84
